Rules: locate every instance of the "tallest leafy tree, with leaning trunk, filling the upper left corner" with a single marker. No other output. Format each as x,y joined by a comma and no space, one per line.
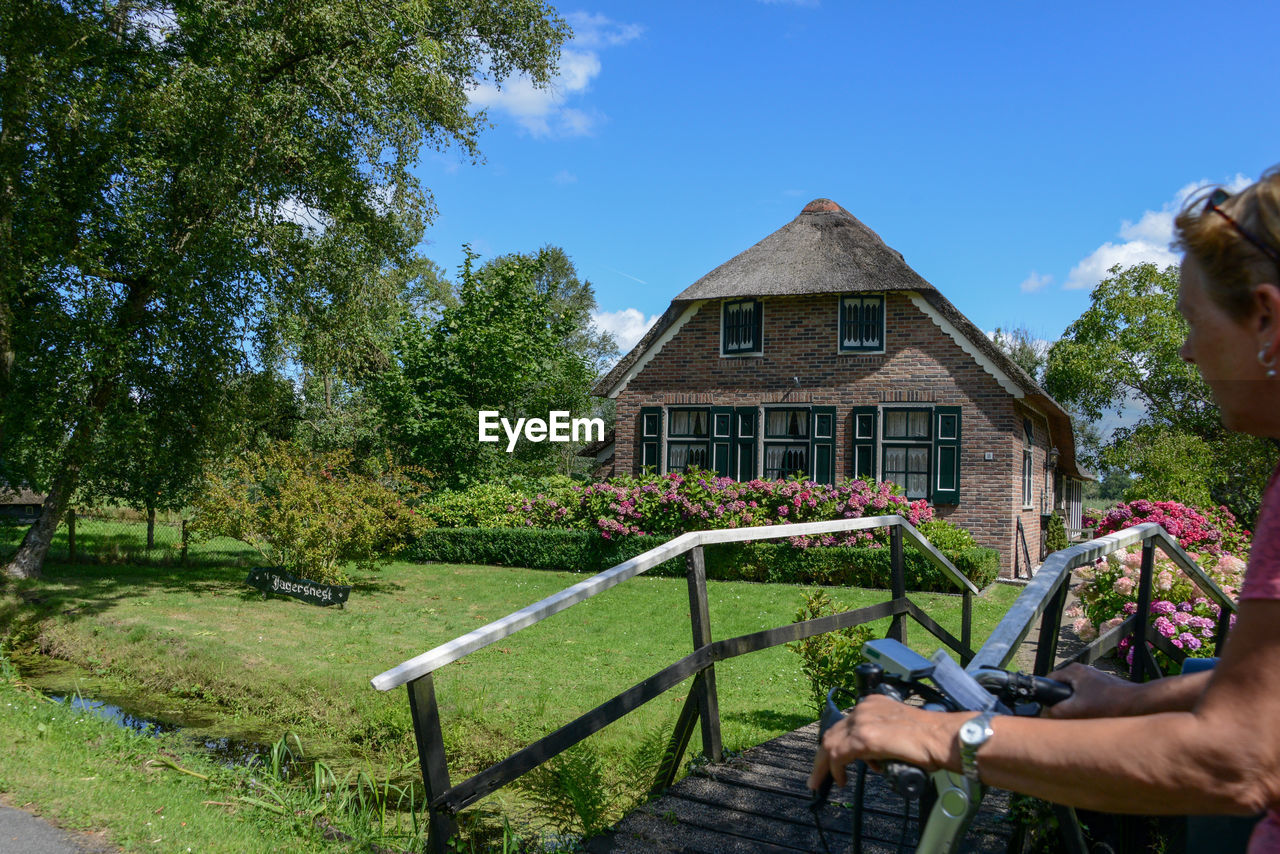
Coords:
211,166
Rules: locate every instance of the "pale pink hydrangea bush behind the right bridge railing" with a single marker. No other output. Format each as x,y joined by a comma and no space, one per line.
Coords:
1178,611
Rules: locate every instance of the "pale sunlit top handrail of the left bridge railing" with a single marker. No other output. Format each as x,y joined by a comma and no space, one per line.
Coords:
500,629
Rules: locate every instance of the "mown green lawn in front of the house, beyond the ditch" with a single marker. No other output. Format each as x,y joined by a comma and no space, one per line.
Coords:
199,641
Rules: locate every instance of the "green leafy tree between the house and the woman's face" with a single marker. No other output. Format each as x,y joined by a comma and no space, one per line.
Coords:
1123,351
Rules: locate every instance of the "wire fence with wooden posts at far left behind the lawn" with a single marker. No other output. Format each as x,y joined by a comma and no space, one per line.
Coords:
125,536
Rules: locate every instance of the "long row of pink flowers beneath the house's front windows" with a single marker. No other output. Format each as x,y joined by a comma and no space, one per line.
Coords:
675,504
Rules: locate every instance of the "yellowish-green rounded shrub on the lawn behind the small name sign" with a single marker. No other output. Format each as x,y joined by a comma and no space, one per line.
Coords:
309,514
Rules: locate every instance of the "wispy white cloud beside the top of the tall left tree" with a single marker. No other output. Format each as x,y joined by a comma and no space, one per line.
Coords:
546,111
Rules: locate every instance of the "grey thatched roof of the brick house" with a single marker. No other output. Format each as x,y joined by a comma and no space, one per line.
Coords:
829,250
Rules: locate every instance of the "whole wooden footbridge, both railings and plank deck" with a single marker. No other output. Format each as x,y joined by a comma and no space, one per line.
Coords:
758,802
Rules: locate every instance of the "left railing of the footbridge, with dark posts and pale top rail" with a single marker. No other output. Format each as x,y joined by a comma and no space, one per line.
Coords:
445,798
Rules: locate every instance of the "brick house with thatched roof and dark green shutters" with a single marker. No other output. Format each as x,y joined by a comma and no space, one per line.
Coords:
820,351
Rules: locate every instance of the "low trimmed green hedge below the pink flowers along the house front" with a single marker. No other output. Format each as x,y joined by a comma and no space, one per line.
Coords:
588,552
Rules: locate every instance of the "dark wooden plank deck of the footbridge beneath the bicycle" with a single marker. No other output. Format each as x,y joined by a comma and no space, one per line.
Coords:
758,803
